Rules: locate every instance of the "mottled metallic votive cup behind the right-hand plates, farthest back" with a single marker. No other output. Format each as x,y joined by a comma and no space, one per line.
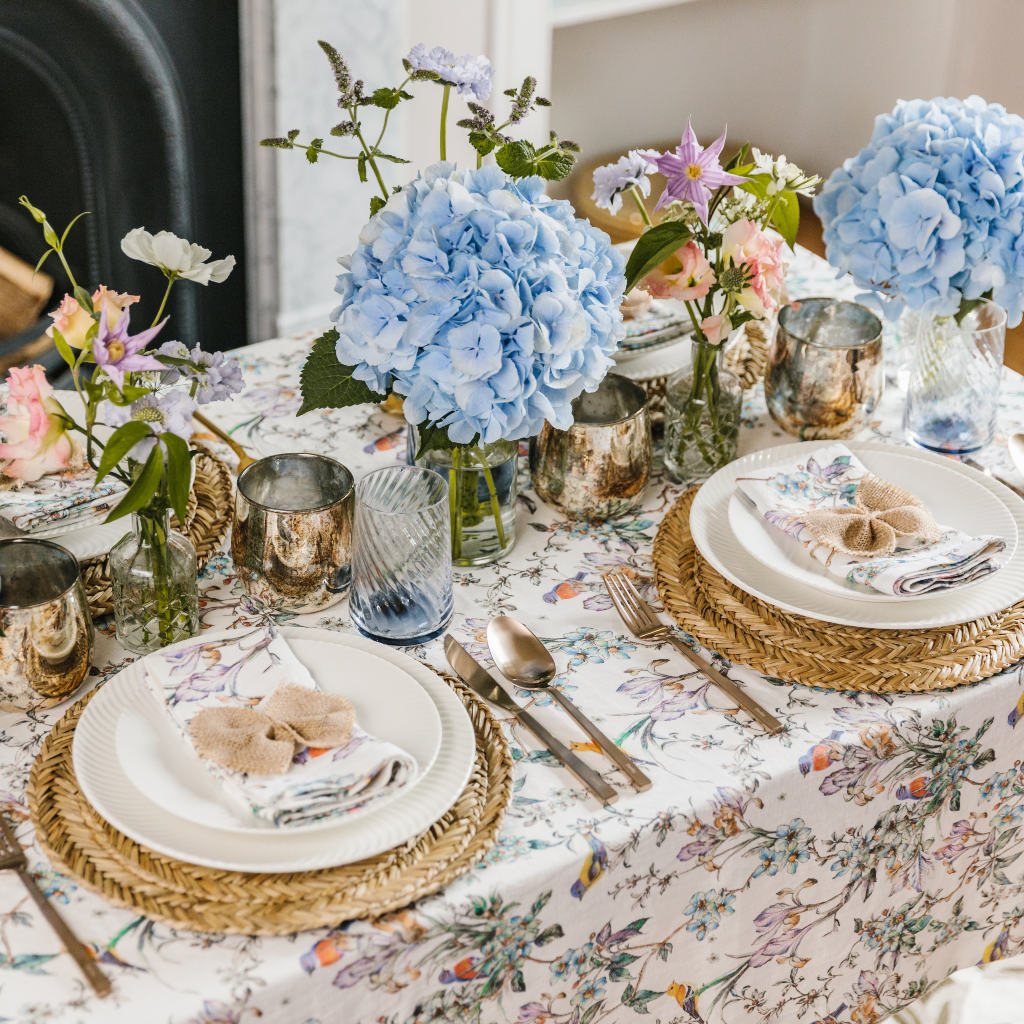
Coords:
826,369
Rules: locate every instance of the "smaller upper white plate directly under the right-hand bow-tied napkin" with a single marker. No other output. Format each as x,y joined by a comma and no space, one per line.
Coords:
954,501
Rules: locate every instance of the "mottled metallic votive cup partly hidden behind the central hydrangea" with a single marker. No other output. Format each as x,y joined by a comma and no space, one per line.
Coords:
600,468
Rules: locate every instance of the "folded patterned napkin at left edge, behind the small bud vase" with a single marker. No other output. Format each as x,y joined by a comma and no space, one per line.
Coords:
58,499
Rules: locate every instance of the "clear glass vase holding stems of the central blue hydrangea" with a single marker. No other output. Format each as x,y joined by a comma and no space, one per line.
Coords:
482,497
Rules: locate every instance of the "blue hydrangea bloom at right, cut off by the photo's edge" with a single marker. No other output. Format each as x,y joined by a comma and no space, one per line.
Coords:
931,211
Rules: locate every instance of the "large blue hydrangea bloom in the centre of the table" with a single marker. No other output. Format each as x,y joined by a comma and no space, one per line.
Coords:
487,305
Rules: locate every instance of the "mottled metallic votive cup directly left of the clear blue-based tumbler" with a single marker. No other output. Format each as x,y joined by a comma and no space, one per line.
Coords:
292,533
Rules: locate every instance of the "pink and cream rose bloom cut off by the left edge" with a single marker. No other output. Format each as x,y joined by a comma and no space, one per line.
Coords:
36,432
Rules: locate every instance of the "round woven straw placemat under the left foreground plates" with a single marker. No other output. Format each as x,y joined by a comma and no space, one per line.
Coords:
87,847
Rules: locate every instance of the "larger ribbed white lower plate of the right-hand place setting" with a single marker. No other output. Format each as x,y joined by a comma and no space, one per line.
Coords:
717,543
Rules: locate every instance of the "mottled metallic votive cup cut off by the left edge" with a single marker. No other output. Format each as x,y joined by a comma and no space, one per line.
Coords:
46,627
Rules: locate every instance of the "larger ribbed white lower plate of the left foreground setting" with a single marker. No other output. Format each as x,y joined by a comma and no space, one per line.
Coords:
110,791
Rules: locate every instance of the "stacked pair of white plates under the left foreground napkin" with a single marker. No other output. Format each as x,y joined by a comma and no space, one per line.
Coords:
141,776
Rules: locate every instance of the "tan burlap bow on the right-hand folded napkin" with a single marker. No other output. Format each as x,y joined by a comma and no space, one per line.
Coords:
884,514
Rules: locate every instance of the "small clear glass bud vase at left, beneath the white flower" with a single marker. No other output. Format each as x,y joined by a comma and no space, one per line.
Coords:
154,573
